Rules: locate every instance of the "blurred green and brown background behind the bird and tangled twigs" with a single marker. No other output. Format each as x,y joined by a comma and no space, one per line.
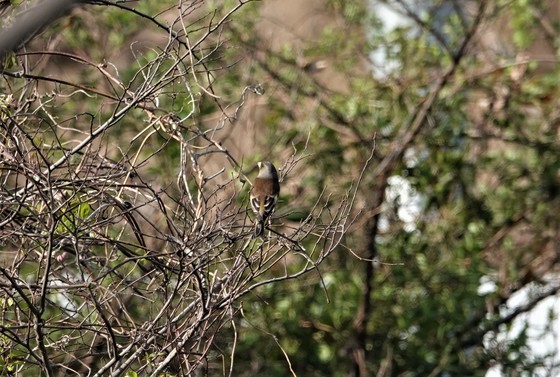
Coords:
439,118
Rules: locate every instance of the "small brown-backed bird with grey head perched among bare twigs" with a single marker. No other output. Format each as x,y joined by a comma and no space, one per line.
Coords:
264,195
